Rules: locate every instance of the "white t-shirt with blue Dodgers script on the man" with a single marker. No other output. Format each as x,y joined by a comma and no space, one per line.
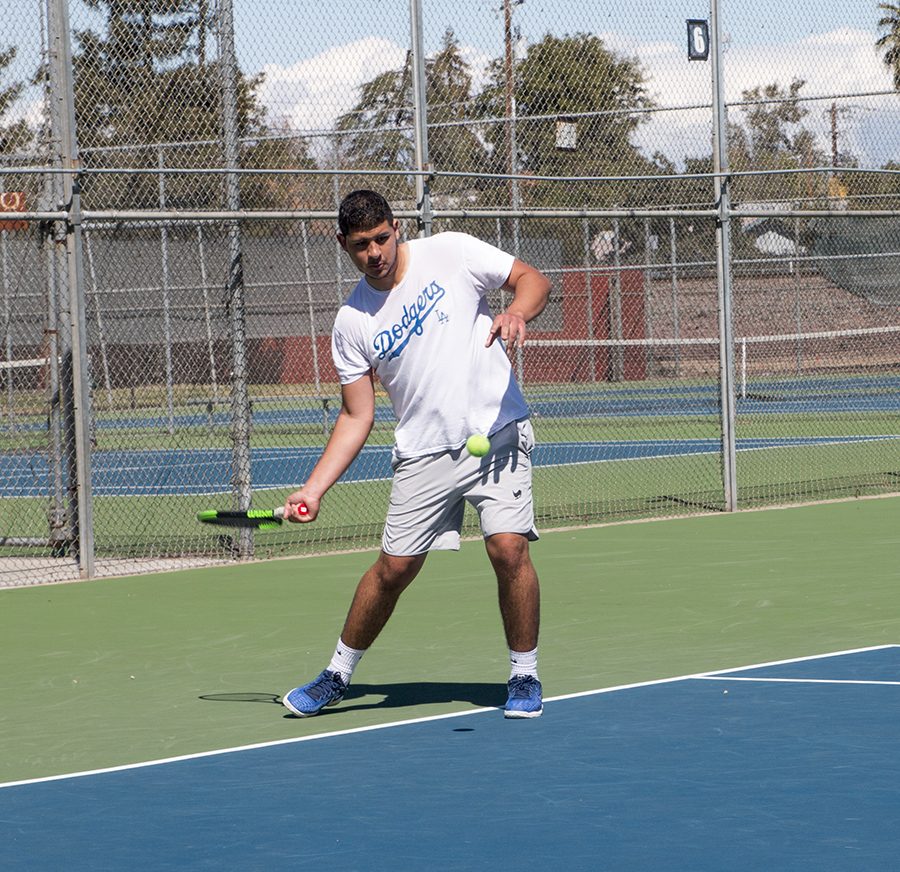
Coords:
425,341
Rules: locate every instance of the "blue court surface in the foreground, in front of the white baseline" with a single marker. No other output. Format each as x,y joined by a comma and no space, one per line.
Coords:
783,766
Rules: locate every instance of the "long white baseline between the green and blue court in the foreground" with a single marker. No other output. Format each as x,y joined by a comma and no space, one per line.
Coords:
297,739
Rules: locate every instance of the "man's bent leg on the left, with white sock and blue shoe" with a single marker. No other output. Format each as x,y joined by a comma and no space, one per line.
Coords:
373,603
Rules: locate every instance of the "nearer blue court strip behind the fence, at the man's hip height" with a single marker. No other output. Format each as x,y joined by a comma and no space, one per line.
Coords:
208,471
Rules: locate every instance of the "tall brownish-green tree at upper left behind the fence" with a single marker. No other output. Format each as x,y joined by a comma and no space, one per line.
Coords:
146,92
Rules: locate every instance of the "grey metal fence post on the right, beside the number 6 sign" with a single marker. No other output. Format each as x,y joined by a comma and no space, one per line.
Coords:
723,266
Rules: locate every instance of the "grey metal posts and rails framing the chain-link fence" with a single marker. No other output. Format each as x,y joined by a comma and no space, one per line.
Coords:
67,243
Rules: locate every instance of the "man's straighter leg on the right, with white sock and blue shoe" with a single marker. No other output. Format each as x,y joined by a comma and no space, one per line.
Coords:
520,607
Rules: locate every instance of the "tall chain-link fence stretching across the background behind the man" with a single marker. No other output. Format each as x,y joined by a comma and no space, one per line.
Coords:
722,234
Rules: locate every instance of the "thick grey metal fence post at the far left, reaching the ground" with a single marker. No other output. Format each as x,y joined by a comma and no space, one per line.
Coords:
75,378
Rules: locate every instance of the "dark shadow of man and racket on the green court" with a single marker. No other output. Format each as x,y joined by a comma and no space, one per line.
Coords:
391,695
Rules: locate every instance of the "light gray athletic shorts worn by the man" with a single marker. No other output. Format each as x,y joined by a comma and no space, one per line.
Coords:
429,494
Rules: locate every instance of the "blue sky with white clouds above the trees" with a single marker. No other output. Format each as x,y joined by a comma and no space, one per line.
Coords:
315,61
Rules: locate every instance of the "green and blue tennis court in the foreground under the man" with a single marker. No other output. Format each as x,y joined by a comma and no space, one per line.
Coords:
722,692
